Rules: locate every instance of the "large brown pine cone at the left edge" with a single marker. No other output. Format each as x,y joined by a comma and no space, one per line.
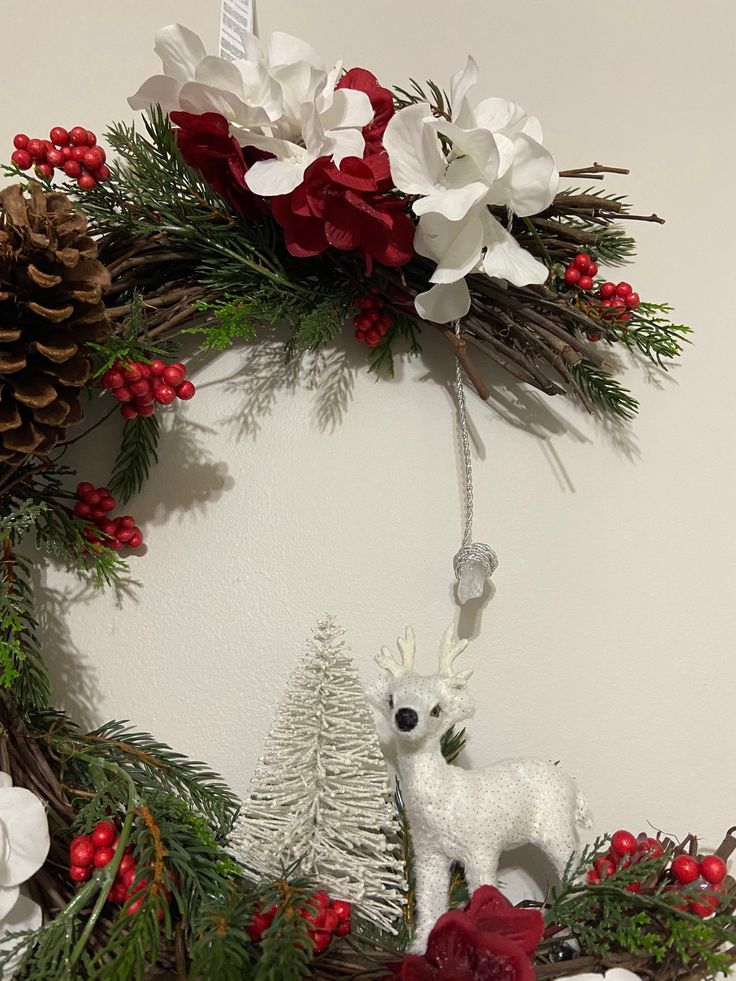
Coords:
51,285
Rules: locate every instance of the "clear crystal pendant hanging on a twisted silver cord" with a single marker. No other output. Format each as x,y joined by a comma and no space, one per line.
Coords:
475,562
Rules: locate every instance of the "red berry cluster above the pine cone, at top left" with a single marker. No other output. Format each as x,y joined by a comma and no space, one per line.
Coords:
74,151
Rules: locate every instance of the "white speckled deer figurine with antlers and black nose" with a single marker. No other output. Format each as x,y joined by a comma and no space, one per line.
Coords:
466,816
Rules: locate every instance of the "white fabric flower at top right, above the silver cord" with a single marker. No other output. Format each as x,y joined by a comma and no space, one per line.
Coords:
496,157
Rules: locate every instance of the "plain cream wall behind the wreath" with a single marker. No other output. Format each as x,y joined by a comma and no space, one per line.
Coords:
608,642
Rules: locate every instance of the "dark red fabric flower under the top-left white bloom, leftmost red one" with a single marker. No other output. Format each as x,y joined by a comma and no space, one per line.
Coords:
206,145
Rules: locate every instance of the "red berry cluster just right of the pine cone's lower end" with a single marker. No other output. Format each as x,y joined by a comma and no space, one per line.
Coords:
140,386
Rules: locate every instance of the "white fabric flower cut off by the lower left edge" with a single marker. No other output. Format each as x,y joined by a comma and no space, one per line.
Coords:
24,845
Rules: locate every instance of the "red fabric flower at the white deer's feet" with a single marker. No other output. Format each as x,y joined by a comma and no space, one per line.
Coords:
459,951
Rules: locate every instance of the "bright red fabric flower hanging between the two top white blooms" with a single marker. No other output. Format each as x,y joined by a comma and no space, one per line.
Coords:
347,207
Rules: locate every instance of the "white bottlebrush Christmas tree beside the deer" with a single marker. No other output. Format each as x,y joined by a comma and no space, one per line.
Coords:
320,796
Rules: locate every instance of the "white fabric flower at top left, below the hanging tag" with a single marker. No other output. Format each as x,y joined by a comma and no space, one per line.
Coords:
283,101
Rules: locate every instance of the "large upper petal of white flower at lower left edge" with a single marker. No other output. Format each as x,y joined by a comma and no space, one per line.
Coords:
24,821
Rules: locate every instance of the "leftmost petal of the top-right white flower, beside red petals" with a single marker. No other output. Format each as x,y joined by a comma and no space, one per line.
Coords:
417,162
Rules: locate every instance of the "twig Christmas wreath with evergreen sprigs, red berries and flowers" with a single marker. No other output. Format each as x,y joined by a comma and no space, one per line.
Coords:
276,191
